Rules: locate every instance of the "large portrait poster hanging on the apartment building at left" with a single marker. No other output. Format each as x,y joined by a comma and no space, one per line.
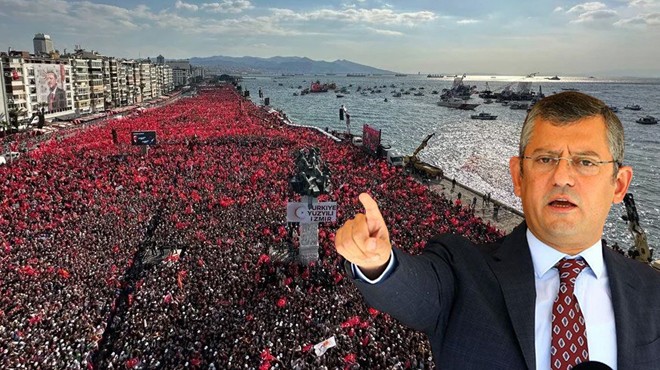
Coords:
51,86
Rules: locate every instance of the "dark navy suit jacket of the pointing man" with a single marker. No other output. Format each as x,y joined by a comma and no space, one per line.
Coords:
476,303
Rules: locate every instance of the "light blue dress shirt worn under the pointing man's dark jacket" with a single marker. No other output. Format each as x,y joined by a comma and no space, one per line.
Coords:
592,291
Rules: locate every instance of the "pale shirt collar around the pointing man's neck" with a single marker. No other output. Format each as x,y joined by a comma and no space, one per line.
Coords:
544,257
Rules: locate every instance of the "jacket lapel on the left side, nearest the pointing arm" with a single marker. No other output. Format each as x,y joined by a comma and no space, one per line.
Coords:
512,265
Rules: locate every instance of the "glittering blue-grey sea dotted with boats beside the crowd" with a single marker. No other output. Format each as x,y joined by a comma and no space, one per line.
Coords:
476,152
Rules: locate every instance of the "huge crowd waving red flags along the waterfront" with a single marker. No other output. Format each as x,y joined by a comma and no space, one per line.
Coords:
79,213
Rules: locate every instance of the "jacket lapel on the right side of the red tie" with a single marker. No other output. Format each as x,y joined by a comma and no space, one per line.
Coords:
626,303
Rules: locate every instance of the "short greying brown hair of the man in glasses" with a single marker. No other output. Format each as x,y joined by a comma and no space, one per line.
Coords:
568,107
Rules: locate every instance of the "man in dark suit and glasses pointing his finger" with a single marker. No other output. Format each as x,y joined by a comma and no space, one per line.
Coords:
505,305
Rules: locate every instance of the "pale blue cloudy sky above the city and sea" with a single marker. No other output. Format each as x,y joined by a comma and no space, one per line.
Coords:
576,38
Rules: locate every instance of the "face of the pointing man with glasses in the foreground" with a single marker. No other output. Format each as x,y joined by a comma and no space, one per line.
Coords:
563,208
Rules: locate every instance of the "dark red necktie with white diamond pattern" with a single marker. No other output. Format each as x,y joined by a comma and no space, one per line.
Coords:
569,335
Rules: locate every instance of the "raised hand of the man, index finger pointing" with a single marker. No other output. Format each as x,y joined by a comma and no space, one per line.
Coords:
364,240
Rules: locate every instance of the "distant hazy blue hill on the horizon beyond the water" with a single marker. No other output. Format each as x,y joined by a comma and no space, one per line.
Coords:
286,65
